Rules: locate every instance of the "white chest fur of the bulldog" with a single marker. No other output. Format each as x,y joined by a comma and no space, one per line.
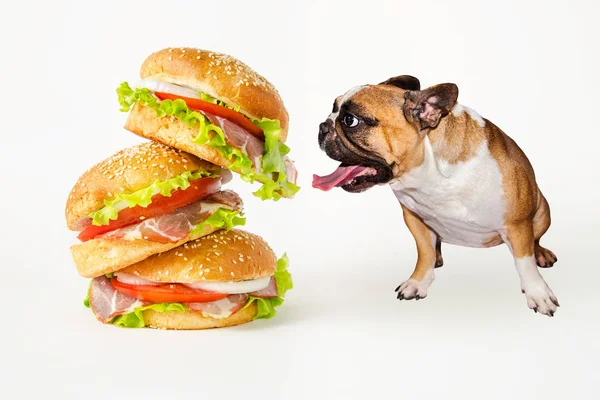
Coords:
463,203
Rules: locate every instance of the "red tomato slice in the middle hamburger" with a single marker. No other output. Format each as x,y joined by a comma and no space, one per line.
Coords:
160,205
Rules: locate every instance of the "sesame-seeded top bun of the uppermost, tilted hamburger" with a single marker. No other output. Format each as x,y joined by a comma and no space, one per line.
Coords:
220,76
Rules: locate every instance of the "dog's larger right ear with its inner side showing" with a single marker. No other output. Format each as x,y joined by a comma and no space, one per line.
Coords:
428,106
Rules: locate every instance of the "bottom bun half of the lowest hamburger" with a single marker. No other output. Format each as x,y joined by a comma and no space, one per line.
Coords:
194,320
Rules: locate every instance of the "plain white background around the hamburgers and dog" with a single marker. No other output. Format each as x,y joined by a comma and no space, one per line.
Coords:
529,66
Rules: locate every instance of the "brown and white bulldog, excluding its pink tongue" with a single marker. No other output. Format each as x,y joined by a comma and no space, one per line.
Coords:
457,176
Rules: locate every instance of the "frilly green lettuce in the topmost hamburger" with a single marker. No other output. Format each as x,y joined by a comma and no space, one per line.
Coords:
273,177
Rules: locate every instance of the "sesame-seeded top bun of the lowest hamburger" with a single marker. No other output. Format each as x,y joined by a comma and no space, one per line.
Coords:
225,256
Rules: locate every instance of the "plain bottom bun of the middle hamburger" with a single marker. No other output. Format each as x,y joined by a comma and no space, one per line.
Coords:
97,257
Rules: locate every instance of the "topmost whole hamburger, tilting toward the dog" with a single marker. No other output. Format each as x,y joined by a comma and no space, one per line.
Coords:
217,108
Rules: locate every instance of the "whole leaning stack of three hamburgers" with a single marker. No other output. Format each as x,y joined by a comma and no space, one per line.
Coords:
156,226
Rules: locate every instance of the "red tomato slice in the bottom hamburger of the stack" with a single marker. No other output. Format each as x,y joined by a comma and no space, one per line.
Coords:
168,293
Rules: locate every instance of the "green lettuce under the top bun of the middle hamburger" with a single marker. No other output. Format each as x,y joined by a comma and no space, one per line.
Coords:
143,197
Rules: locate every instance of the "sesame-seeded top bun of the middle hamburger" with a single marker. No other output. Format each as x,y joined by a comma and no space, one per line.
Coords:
127,171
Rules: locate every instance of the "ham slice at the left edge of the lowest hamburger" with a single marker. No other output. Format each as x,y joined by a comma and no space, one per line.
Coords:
107,303
